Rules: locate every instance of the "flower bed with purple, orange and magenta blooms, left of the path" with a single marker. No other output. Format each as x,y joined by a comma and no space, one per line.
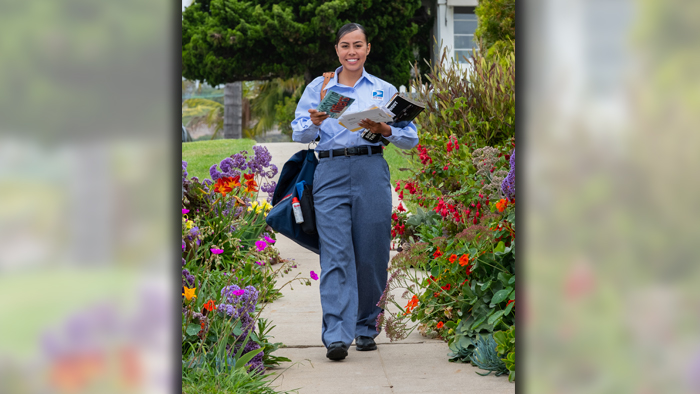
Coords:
229,270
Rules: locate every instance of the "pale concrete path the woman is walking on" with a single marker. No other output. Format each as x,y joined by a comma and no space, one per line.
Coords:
414,365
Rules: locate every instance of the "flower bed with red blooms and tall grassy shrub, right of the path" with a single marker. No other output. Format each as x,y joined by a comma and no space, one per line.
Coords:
456,264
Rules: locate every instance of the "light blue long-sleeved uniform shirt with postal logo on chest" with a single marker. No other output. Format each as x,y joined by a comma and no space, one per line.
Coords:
368,91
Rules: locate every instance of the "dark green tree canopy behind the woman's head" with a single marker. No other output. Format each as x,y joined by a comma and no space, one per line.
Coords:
229,40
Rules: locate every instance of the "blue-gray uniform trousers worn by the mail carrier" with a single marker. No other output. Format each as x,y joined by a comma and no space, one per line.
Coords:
352,199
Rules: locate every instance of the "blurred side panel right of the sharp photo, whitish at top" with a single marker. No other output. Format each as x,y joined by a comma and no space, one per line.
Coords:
611,147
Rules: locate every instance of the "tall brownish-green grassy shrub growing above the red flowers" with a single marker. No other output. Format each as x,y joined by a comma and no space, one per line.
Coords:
478,108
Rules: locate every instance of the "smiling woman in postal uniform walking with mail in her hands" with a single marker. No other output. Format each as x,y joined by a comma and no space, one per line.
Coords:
352,197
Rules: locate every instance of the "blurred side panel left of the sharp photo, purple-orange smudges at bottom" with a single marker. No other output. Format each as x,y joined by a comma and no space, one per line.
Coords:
86,138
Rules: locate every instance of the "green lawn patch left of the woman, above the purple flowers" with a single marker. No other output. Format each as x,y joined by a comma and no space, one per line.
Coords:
201,155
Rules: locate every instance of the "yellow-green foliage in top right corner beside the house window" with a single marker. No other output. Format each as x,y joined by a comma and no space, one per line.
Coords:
496,30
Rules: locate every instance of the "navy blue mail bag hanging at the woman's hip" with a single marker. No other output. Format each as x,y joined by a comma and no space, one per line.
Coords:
300,167
